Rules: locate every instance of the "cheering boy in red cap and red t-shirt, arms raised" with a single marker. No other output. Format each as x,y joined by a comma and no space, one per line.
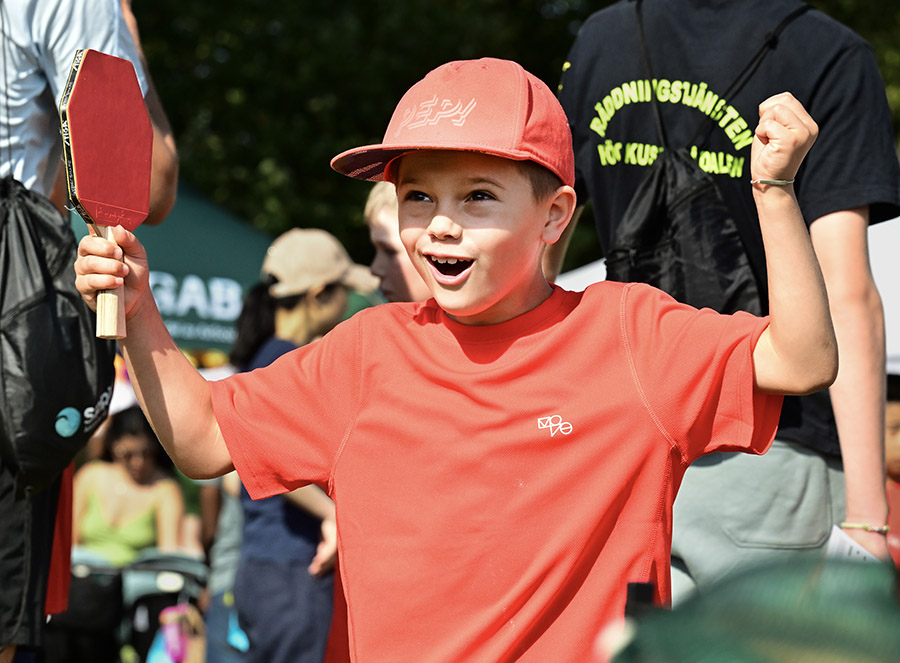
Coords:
503,457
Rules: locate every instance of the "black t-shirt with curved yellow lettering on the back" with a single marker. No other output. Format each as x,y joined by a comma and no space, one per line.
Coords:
696,49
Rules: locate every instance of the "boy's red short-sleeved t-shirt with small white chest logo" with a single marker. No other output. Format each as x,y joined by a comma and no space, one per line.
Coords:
498,486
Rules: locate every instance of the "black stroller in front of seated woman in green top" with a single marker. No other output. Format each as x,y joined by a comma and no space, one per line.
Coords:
114,613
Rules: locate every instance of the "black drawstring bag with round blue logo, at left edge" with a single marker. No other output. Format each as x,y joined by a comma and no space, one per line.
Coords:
56,377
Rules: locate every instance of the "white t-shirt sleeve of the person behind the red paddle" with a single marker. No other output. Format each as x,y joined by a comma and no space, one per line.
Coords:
80,24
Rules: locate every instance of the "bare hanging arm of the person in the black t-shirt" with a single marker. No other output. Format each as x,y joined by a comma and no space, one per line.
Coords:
857,395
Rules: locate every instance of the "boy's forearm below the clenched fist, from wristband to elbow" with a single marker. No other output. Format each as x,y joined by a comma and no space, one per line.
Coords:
802,351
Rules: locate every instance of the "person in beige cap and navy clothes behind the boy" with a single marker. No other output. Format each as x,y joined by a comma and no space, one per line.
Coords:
284,585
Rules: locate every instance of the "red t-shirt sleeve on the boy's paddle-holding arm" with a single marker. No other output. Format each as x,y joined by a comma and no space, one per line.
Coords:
284,424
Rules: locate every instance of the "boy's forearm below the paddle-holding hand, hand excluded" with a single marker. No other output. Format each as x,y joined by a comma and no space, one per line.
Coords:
173,394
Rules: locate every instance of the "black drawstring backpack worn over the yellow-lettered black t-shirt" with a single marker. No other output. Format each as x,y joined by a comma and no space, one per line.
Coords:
677,233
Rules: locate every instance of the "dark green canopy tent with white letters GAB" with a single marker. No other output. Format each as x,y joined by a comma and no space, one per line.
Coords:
203,259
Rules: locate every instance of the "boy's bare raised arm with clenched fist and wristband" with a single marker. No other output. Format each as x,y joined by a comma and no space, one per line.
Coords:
797,353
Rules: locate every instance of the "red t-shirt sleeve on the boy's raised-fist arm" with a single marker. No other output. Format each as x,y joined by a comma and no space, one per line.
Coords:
694,370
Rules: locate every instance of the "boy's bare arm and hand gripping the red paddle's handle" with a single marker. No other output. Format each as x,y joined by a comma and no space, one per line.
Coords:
172,393
